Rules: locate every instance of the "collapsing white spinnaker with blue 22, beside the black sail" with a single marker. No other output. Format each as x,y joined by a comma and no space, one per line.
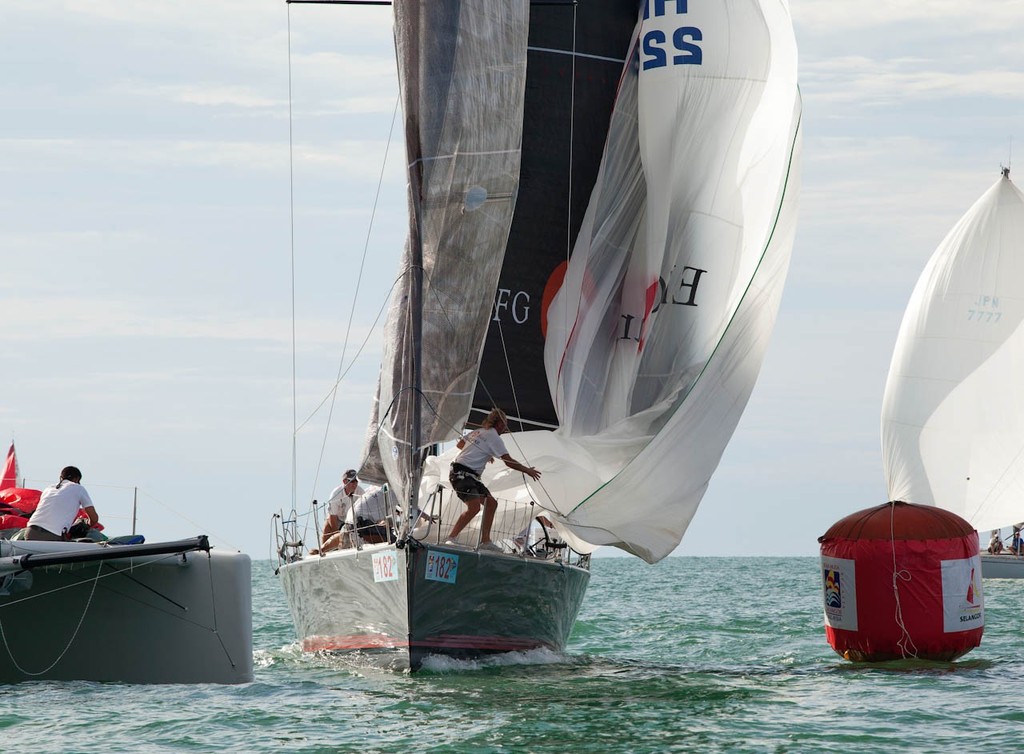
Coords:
657,338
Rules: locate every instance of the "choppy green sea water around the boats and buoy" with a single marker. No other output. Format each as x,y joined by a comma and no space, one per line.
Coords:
691,655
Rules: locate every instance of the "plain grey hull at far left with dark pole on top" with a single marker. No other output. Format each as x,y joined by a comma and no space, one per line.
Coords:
184,618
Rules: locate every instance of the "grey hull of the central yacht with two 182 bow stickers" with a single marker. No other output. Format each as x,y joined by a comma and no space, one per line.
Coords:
433,601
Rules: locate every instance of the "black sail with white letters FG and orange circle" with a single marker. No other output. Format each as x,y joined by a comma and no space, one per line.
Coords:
575,64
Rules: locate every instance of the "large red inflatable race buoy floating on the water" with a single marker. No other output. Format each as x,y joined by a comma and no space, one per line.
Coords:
903,581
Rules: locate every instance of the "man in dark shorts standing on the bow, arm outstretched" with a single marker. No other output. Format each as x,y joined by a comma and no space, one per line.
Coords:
479,448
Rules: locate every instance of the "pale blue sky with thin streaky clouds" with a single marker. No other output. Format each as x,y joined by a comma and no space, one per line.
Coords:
149,246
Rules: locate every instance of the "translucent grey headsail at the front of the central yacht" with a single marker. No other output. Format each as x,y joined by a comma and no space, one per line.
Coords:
462,72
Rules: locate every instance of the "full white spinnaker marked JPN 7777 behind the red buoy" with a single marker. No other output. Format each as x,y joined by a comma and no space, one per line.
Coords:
953,416
